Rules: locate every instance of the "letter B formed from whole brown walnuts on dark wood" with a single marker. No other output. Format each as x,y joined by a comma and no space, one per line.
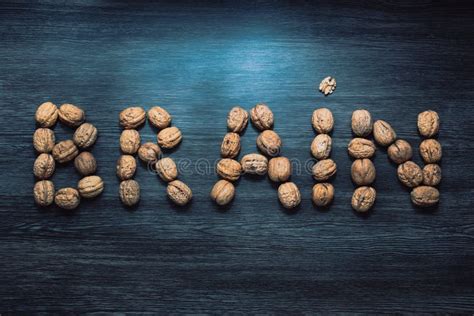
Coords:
50,152
